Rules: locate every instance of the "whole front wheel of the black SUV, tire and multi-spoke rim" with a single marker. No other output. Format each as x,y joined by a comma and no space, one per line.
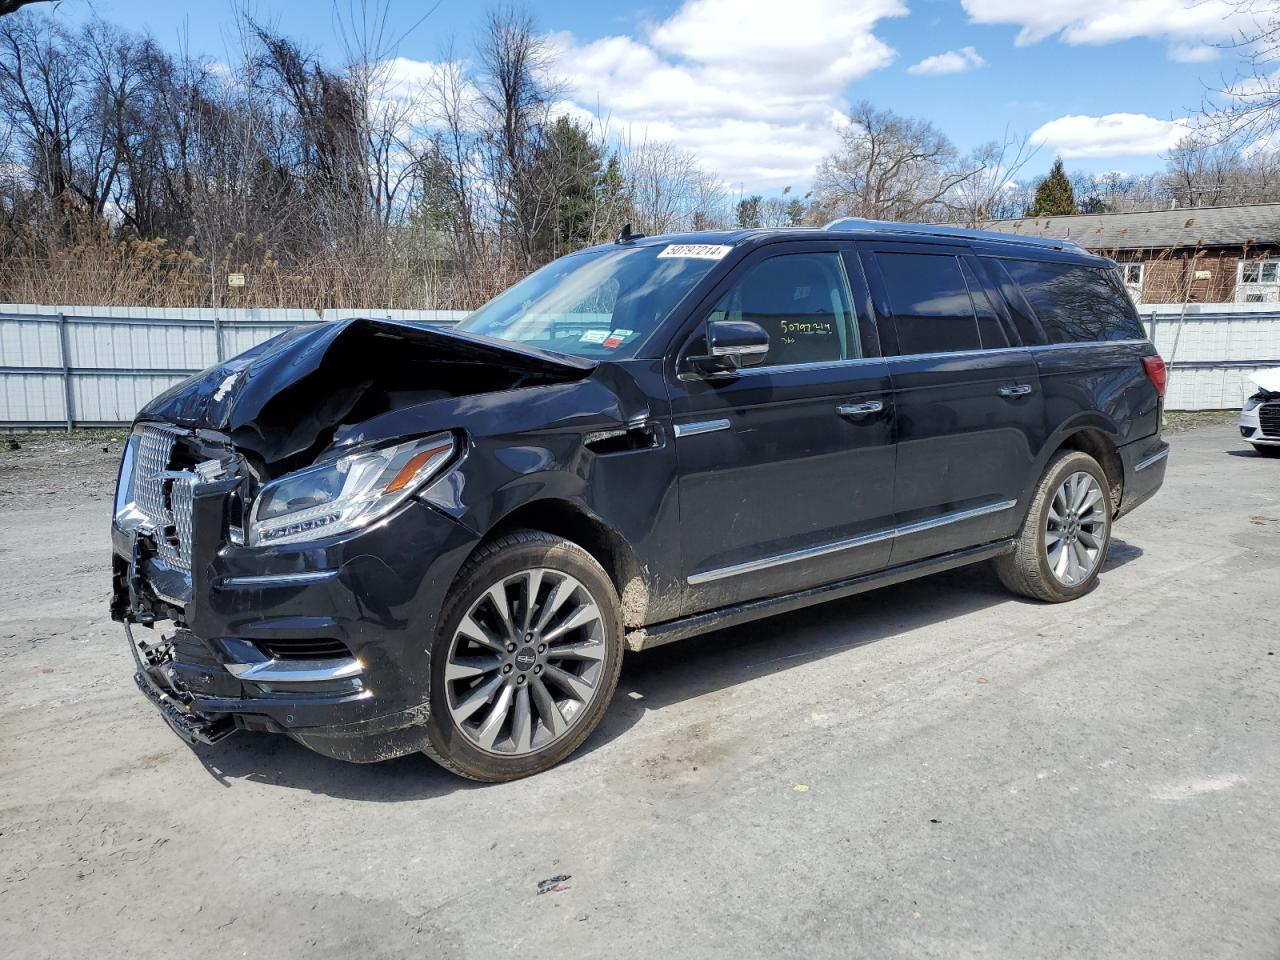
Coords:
500,680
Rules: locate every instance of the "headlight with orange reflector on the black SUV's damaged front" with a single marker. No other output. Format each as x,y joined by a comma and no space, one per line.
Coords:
346,495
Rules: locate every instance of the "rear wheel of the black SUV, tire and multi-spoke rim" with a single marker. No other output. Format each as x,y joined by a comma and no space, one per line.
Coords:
1030,570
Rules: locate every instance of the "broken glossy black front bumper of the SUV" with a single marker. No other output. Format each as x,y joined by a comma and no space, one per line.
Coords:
374,596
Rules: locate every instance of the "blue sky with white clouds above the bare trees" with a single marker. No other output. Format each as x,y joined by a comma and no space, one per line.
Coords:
756,88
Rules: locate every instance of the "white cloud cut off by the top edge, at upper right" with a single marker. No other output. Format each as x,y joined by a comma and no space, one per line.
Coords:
1187,25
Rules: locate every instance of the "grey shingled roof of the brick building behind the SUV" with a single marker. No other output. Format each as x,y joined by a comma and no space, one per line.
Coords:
1251,225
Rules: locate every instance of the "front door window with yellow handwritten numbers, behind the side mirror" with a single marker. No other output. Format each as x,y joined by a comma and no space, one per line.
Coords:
803,303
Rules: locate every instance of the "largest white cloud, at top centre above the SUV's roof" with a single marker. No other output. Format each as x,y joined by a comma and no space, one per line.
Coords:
753,90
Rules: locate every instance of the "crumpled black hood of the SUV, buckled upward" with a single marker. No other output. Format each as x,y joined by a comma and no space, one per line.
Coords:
280,397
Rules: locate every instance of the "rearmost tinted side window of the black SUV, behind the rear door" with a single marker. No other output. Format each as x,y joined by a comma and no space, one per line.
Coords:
1077,304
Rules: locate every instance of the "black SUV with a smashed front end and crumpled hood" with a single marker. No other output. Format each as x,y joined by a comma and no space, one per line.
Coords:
381,538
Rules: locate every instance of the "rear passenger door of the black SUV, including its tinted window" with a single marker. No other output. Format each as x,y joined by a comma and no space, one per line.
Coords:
971,415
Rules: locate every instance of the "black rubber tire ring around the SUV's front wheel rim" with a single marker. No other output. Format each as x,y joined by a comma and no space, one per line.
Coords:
533,550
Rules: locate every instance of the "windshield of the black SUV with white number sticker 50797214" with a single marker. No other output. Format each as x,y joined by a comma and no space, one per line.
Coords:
600,304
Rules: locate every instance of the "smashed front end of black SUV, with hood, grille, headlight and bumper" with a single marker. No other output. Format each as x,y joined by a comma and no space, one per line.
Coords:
285,559
